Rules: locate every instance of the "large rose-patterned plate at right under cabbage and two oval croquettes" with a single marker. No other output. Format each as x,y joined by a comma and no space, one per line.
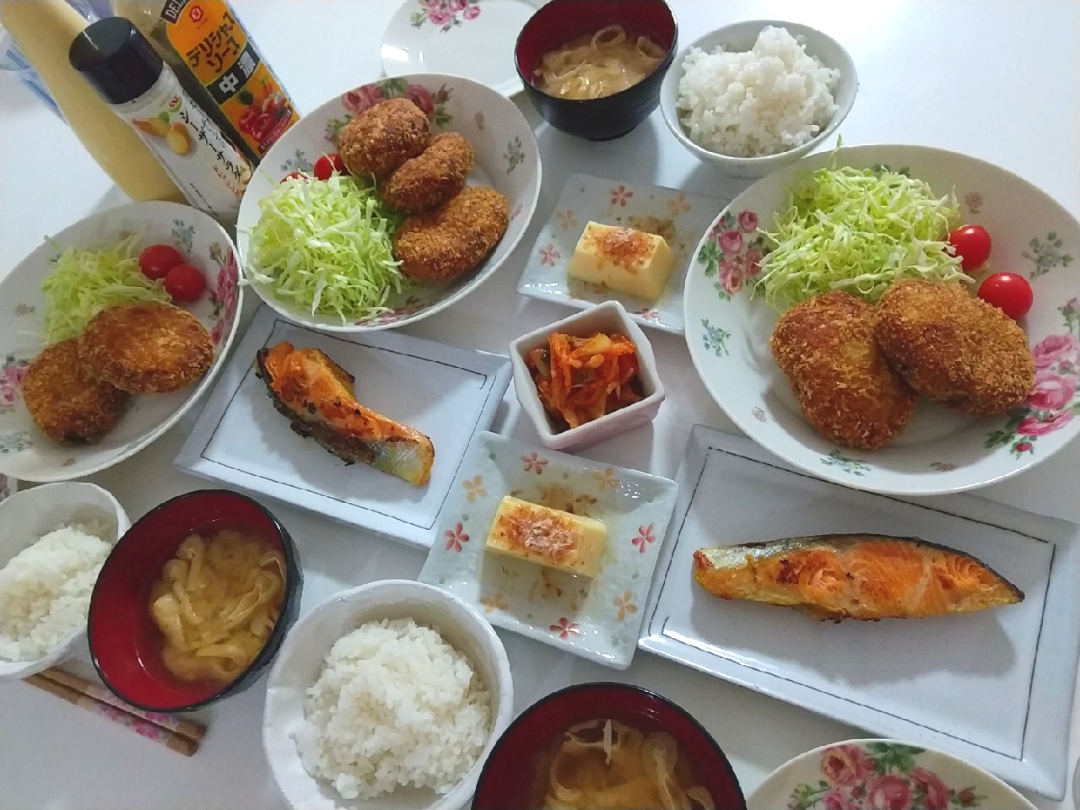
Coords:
941,451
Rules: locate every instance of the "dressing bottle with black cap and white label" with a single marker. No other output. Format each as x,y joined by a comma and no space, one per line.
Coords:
126,71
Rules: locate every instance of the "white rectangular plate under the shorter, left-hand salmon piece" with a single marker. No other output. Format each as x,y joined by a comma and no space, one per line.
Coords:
444,393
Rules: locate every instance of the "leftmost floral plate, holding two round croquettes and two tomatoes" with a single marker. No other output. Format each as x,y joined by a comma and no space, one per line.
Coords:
25,452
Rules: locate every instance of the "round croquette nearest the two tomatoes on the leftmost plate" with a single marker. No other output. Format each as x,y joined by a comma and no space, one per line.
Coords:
147,348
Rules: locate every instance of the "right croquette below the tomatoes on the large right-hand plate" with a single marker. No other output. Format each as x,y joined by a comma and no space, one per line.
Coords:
955,349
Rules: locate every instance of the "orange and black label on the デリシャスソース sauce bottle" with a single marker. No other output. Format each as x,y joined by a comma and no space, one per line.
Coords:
213,44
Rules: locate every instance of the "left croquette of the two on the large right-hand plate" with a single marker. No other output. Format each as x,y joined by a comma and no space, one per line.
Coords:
843,384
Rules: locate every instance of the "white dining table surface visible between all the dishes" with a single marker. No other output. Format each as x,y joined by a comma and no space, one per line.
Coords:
996,79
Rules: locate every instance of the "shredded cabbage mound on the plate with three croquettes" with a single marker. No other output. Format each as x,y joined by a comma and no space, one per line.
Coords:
326,247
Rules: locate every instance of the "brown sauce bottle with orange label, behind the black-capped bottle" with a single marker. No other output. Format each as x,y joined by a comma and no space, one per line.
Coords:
219,65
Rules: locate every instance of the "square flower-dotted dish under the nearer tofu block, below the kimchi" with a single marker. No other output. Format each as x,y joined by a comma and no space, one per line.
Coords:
600,619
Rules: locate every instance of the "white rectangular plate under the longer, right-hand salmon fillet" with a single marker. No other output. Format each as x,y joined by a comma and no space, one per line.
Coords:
992,687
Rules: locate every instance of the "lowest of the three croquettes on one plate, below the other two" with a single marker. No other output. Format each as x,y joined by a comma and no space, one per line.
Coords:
455,238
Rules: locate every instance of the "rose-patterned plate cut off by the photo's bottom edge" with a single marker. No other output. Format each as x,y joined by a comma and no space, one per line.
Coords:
882,775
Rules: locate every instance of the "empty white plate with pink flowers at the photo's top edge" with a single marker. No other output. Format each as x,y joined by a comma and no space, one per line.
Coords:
470,38
